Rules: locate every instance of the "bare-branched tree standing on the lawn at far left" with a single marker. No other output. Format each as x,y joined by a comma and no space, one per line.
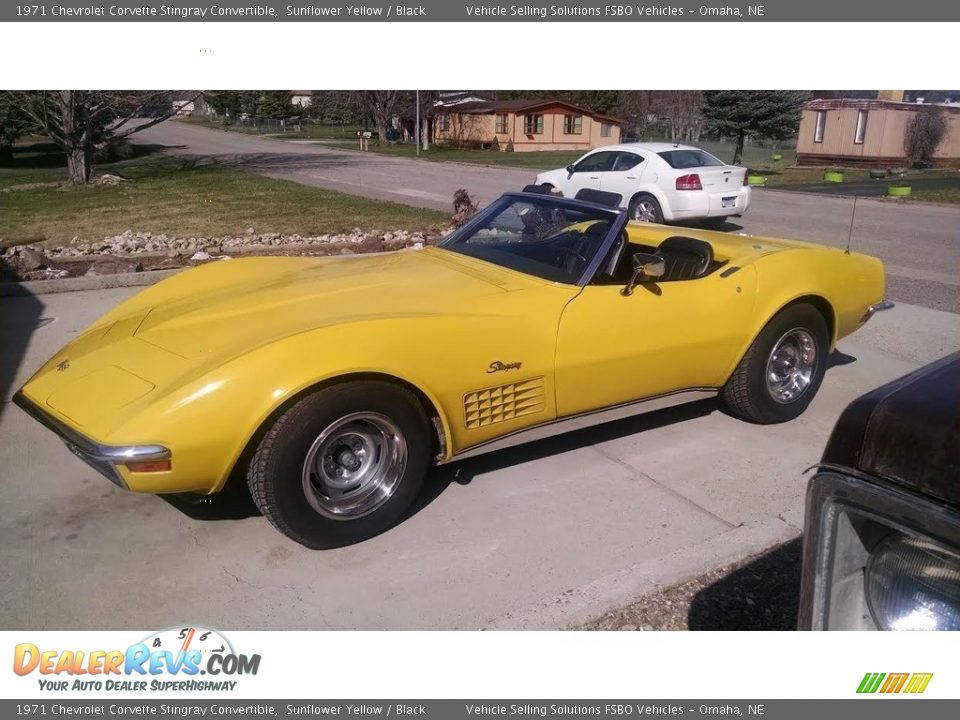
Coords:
83,121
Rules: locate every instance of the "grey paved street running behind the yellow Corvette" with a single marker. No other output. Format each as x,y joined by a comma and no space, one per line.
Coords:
919,243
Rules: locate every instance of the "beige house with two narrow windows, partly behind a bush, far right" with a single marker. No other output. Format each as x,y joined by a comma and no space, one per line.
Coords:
867,132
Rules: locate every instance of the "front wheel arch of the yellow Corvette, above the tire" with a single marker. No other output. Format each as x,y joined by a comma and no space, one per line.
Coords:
428,403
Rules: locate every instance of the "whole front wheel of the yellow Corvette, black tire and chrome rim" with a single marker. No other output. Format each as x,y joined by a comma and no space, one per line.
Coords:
343,464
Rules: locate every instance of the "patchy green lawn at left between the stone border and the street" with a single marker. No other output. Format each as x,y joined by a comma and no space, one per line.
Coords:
176,197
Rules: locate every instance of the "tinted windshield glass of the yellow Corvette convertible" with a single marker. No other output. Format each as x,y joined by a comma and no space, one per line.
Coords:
543,237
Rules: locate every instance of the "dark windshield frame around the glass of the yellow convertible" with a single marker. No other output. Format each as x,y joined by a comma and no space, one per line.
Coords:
618,221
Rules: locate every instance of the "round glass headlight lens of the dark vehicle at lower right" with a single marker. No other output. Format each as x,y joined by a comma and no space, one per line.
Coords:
913,584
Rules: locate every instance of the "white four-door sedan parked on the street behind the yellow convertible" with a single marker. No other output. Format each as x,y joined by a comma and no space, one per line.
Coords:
658,182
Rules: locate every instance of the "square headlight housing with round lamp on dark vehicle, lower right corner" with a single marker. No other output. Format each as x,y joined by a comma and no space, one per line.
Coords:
877,556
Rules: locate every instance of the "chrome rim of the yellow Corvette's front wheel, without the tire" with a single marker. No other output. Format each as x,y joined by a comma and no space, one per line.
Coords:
354,466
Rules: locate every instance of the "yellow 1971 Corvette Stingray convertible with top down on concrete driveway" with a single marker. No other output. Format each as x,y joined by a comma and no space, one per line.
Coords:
335,383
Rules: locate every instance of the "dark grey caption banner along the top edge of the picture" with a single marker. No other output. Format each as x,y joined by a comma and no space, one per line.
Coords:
447,11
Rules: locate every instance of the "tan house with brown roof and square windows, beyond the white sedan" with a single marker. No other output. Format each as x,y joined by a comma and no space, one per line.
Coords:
527,125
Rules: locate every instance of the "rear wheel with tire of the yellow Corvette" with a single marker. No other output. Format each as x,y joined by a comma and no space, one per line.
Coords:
782,370
